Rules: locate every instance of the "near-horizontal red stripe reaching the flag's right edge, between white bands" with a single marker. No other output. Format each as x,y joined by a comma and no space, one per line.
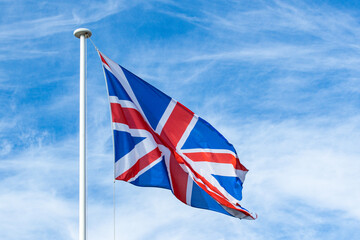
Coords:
226,158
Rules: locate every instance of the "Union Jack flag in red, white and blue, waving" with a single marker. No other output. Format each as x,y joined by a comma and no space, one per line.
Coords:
159,142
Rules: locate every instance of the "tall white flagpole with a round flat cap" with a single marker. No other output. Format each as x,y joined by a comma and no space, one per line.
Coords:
82,33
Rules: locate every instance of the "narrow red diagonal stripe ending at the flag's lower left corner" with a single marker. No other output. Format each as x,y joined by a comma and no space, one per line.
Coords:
140,165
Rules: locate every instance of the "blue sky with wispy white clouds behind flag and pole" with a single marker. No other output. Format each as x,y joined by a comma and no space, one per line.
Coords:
279,79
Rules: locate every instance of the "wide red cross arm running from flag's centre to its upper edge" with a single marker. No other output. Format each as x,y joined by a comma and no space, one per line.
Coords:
176,125
